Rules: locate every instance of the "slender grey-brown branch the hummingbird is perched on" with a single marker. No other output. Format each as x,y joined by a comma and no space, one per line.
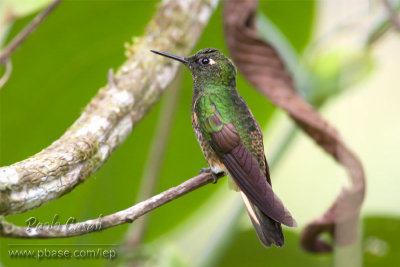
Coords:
124,216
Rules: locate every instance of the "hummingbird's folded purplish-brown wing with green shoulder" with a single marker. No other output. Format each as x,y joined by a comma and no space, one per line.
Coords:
243,167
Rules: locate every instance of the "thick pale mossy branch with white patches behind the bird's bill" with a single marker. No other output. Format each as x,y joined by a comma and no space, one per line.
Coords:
111,115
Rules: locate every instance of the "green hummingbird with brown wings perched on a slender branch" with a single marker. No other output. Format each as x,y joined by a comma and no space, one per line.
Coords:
232,141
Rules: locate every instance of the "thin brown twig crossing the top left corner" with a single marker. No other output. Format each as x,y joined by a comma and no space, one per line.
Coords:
6,53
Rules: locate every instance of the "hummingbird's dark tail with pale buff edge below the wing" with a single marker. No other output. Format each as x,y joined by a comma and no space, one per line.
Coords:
268,231
